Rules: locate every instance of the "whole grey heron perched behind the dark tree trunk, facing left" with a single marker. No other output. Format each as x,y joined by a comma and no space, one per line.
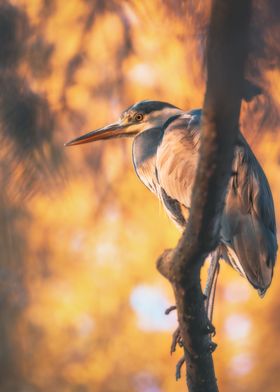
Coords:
165,154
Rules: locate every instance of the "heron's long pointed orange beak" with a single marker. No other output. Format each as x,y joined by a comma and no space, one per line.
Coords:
111,131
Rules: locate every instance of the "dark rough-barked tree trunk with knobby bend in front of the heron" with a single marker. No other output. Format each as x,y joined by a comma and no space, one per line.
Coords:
227,49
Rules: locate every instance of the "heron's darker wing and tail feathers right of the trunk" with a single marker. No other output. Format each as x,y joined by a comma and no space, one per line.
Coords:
248,225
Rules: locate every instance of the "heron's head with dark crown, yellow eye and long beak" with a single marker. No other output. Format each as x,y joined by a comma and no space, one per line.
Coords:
137,118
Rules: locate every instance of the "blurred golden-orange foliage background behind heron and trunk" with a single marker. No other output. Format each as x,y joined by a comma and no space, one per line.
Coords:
81,303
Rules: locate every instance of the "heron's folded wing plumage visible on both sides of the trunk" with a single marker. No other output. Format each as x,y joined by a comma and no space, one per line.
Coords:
248,224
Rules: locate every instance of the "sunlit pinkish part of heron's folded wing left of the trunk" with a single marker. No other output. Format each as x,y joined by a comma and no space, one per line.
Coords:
176,162
